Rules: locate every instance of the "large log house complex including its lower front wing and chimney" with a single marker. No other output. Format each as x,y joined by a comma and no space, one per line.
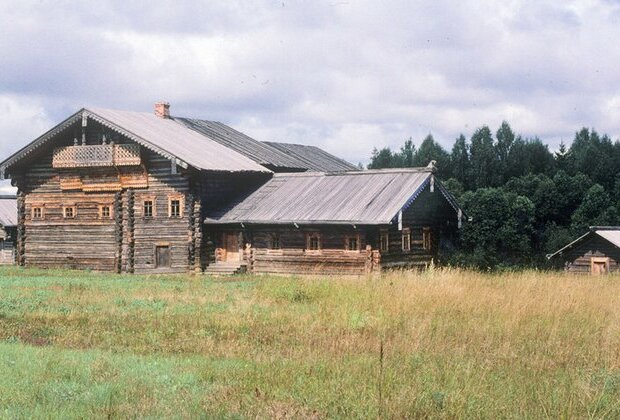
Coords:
137,192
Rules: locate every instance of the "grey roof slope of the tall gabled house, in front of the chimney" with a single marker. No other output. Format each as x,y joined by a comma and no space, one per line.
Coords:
175,138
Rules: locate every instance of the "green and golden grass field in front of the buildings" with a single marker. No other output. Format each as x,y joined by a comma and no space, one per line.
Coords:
440,344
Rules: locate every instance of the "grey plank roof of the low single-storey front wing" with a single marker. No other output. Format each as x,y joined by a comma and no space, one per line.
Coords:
363,197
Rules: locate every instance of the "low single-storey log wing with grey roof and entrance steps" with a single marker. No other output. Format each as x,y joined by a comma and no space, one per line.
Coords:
336,223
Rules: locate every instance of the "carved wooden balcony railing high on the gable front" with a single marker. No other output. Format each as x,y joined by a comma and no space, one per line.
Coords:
96,155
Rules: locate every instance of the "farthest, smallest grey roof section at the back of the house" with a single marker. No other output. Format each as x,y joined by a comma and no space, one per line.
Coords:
313,158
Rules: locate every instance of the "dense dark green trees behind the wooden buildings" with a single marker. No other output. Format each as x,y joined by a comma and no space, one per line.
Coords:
524,200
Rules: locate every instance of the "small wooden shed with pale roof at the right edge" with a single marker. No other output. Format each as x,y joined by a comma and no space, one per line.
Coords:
596,252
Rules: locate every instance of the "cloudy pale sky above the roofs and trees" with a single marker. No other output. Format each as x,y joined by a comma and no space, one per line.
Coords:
343,75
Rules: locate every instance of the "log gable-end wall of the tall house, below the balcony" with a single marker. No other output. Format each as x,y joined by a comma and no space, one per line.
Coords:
125,241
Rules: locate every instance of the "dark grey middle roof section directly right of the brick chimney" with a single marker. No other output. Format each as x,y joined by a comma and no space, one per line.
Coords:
258,151
